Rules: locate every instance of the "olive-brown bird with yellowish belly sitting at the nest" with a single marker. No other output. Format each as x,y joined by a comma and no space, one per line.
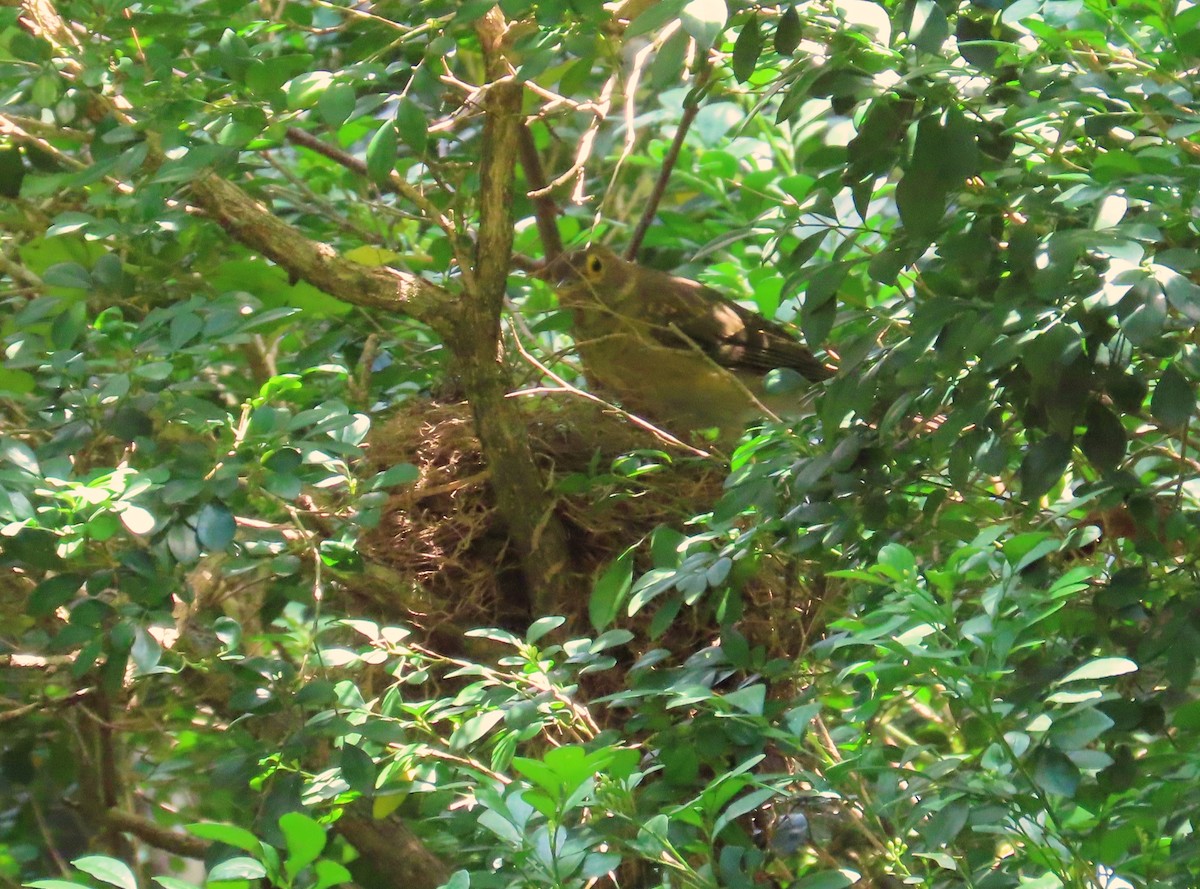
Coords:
673,350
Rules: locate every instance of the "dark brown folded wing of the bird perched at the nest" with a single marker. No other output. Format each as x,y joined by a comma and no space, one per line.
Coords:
731,335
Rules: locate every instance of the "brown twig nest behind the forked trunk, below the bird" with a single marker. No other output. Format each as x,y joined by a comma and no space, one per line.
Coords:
440,557
